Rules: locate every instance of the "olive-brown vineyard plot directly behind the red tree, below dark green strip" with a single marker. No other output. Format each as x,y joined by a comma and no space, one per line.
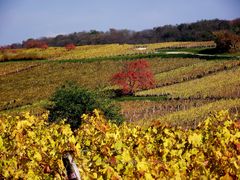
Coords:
48,76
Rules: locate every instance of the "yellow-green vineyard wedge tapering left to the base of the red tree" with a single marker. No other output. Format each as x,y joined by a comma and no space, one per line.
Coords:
225,84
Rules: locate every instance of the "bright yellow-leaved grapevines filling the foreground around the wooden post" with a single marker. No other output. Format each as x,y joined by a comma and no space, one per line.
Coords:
30,148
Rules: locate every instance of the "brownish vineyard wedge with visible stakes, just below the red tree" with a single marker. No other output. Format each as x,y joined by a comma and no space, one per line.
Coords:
151,110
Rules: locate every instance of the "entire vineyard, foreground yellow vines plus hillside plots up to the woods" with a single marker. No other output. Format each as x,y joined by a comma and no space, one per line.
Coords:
186,126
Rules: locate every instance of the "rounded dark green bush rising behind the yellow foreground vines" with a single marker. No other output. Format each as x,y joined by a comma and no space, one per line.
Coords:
71,101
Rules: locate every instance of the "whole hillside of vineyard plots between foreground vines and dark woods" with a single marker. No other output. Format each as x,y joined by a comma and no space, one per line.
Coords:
188,89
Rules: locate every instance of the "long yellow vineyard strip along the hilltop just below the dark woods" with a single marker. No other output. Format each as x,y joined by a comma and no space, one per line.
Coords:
93,51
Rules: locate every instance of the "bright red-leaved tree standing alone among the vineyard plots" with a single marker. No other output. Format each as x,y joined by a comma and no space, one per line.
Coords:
135,75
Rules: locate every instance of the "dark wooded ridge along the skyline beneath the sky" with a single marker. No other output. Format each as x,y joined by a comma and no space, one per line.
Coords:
197,31
